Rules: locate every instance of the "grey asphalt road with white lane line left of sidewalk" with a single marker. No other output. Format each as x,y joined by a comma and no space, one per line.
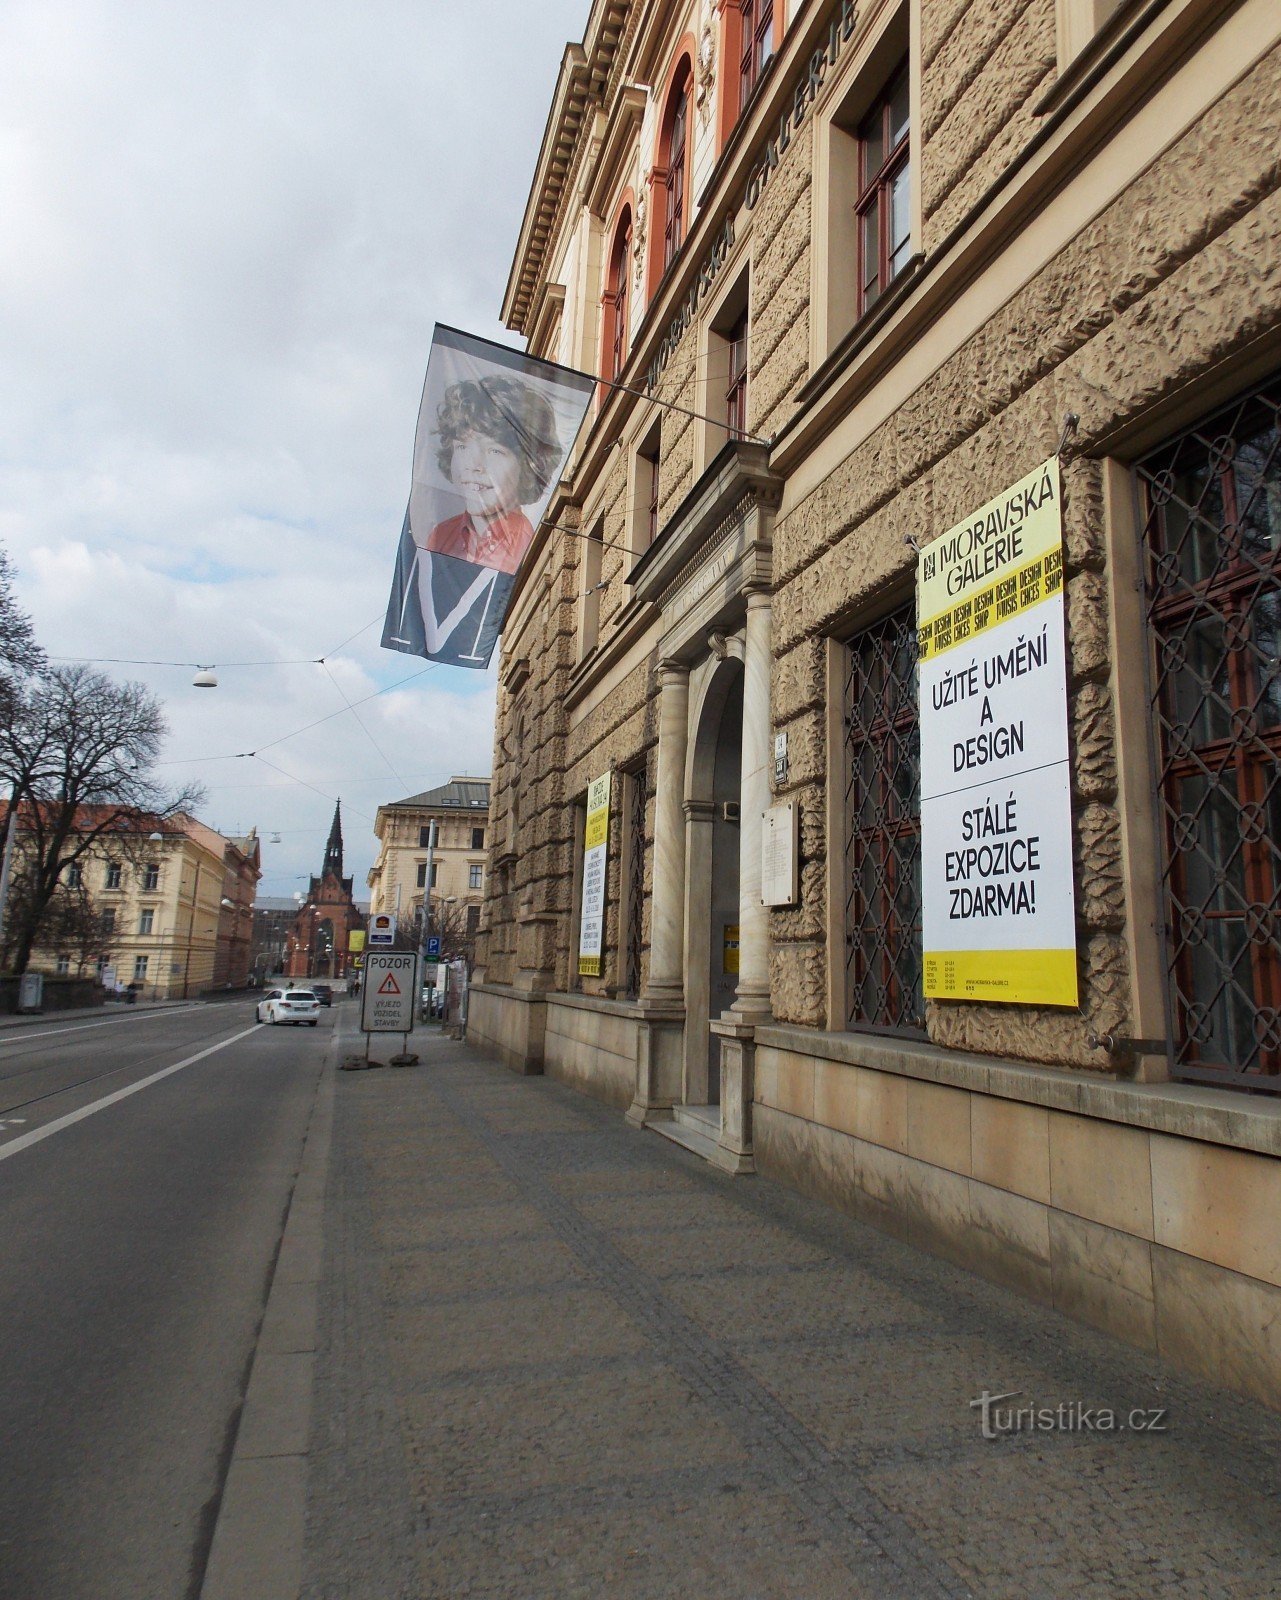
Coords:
138,1246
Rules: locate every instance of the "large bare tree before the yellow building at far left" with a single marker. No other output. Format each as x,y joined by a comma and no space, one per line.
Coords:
79,753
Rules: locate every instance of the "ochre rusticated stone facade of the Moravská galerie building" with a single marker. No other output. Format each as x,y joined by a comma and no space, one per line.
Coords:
884,263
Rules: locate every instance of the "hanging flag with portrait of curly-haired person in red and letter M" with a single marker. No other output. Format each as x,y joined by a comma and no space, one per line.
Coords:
495,431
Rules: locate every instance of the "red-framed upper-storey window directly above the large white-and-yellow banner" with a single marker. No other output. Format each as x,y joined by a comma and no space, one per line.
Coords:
885,190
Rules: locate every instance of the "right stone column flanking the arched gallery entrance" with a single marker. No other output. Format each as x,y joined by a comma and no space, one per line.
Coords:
754,921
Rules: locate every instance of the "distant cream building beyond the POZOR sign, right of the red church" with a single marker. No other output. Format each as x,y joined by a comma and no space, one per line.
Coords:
460,812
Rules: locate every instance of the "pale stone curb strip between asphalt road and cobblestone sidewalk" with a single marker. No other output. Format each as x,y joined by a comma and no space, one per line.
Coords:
257,1550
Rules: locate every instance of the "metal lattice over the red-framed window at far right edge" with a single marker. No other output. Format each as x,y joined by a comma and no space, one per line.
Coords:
1213,562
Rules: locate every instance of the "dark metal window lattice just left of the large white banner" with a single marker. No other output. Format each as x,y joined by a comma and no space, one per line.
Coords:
884,846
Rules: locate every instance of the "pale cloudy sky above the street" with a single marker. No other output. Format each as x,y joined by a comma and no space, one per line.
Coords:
228,231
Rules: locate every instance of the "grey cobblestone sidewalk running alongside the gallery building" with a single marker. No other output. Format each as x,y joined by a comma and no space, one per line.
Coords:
561,1358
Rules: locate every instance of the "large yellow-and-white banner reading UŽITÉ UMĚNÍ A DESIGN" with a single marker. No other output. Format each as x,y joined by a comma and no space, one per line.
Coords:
999,906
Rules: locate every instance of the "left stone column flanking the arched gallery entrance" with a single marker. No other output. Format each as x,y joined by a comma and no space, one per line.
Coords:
666,983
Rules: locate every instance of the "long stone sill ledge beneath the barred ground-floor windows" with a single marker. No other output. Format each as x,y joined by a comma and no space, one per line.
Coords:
1184,1110
